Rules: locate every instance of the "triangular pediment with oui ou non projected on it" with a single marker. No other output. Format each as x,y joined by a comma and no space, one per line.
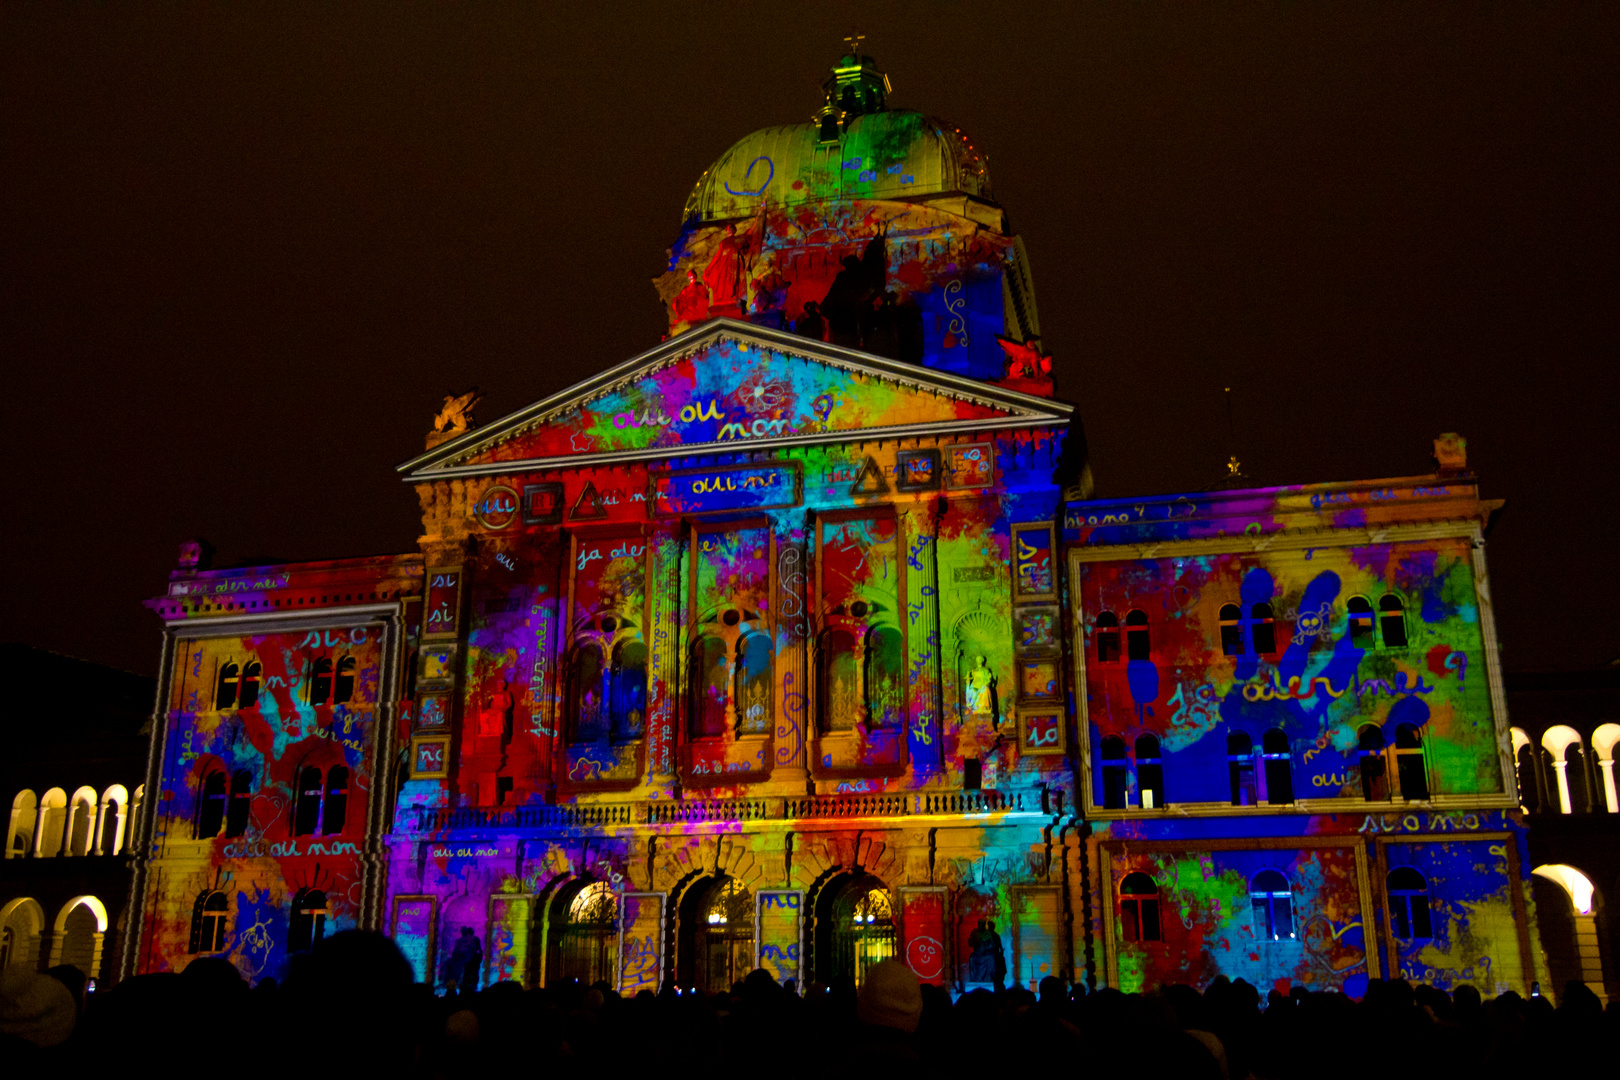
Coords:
730,386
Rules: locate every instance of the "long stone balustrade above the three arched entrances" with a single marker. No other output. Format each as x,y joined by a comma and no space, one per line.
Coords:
723,810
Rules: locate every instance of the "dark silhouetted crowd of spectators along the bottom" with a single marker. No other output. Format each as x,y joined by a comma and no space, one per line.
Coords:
352,1005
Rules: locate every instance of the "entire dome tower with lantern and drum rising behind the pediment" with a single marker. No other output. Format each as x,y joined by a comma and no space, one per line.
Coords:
869,227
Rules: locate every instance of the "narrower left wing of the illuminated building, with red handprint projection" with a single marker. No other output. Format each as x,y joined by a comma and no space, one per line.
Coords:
266,768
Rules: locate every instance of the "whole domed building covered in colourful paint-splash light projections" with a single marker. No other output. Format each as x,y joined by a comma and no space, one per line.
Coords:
769,648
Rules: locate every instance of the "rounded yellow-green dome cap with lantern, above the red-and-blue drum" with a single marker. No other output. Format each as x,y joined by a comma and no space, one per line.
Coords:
856,148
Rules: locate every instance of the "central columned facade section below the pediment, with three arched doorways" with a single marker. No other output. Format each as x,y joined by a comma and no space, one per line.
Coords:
524,793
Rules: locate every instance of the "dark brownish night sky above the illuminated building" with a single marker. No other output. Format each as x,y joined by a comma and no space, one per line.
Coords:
247,250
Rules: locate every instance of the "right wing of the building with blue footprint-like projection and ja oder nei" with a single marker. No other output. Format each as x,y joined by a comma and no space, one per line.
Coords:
1311,699
